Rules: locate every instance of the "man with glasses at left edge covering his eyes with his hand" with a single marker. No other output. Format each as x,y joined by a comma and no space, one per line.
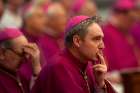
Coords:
14,49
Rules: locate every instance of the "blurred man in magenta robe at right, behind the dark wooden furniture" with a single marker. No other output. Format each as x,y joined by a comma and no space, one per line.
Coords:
121,49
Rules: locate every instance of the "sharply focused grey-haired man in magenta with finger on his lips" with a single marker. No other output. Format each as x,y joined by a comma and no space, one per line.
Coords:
81,67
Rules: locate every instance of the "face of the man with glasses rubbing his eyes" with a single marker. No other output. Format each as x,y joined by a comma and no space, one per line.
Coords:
14,55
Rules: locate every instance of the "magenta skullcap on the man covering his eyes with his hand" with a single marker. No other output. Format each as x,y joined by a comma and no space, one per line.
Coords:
9,33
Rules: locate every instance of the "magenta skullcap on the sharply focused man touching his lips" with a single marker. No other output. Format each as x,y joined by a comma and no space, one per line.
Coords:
75,21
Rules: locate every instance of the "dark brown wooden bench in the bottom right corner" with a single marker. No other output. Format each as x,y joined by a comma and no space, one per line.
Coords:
131,81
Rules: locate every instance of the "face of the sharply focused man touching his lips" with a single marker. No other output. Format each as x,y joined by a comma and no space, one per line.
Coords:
92,43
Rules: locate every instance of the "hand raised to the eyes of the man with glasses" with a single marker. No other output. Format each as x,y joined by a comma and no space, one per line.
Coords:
32,51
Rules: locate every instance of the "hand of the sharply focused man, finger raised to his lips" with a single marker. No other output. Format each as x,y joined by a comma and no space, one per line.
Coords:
100,70
